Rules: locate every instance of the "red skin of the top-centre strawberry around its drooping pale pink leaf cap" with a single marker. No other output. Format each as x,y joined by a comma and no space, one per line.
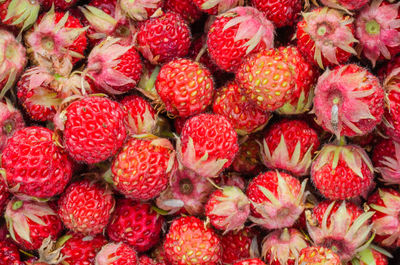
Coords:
227,53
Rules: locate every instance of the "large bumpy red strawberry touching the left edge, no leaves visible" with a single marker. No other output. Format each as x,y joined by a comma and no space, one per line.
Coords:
34,164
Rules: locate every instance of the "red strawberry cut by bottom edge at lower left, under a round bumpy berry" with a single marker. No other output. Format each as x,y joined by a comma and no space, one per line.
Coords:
79,249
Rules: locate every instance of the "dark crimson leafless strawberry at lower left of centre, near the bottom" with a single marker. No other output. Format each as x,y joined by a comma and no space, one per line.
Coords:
135,224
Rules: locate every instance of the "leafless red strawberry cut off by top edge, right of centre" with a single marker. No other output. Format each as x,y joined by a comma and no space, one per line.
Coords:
281,13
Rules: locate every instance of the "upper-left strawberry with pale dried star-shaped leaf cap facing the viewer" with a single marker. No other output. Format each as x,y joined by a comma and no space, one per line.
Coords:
56,37
